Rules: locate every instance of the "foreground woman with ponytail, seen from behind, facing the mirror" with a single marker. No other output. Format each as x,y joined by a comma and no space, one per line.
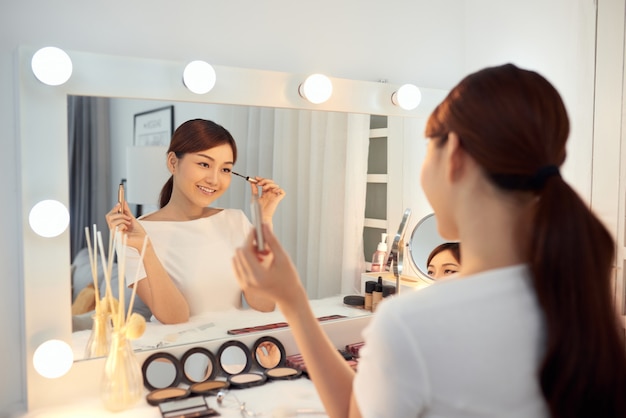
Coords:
530,330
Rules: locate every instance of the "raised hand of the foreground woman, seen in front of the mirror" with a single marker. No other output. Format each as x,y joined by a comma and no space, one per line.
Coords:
276,280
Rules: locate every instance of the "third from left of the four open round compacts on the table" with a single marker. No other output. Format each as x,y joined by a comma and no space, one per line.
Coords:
235,361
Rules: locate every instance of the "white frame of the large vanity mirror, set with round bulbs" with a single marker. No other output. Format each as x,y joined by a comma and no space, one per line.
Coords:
43,161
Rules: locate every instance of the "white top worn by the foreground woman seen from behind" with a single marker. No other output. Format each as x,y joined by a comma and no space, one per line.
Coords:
463,347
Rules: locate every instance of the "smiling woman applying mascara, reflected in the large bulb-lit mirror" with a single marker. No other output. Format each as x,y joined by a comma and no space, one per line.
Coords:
186,267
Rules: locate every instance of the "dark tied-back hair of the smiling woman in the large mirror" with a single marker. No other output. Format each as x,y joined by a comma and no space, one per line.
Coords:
193,136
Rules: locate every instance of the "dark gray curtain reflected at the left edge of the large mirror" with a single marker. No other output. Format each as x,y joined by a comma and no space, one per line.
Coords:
90,167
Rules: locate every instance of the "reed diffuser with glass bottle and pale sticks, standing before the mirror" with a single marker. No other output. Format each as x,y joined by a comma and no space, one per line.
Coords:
122,382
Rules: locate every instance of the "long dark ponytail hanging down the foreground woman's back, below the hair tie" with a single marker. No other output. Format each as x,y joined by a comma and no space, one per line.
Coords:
583,372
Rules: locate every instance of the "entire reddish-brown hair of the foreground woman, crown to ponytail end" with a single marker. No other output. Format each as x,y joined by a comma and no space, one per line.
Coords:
515,126
